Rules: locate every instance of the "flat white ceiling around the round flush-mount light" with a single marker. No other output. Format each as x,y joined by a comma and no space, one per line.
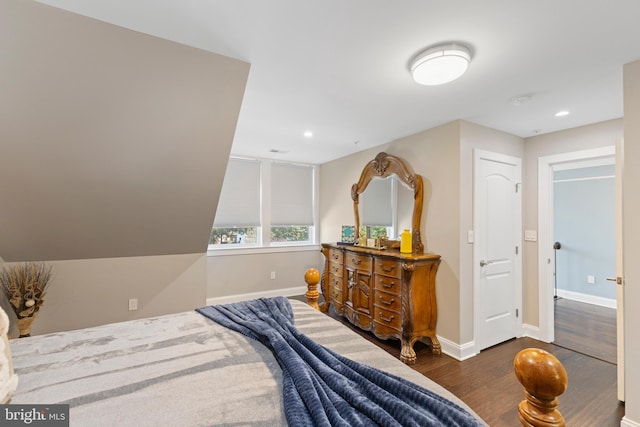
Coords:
339,68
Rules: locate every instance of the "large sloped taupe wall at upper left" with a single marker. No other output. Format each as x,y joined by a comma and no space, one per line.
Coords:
113,143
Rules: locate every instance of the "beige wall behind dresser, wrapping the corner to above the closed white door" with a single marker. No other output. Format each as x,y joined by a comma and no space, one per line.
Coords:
443,156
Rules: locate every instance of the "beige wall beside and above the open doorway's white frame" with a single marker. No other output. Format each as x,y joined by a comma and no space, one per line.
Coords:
586,137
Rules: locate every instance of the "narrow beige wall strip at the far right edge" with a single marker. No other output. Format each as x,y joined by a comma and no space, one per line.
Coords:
631,227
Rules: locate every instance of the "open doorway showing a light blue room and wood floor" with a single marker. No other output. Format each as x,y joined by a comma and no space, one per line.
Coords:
584,235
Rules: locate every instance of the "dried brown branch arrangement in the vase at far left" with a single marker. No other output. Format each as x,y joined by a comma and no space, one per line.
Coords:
24,286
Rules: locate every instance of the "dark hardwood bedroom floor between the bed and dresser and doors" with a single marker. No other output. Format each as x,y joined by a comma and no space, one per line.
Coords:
486,382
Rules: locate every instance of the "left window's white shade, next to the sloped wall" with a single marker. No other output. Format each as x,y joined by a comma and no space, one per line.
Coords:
239,204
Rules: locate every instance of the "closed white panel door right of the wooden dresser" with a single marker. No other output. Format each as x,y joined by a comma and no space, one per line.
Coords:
497,250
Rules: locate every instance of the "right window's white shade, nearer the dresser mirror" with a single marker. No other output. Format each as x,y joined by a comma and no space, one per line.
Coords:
291,195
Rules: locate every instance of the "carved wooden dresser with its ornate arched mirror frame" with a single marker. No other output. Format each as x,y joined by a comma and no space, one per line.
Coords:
378,287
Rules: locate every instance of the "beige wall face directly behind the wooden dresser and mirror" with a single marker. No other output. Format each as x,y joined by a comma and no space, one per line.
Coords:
434,155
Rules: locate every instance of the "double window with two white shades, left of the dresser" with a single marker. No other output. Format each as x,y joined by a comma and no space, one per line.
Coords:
265,203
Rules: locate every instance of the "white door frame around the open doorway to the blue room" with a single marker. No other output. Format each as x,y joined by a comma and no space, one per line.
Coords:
546,261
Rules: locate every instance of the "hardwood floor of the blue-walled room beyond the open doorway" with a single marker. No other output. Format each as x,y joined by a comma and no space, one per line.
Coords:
586,328
